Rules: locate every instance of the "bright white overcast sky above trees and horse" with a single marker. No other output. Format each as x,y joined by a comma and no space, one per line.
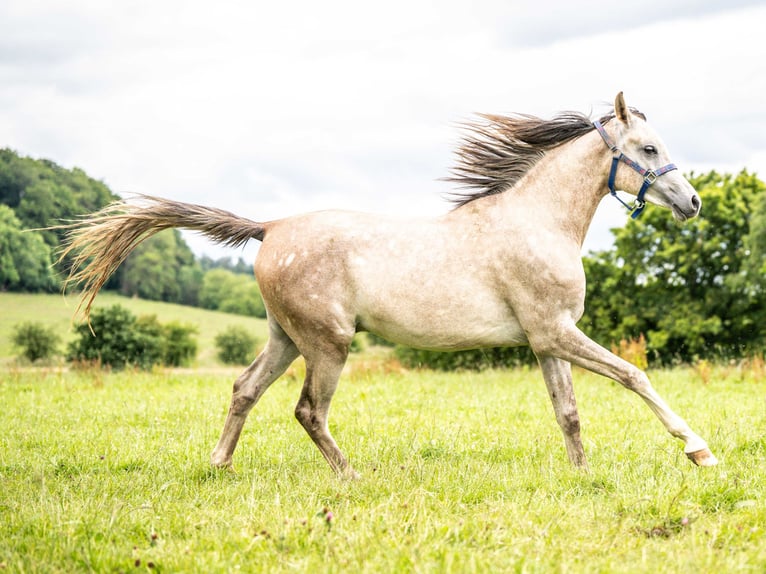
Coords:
273,108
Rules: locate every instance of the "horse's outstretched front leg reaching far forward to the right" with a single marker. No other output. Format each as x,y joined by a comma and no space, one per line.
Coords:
570,344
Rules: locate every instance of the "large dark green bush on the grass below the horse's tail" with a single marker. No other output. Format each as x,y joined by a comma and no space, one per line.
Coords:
120,339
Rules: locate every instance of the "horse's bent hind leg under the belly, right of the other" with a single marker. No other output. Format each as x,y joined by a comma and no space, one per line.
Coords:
322,374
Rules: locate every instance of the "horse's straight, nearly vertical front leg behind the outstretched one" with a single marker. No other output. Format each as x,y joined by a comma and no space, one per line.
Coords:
558,379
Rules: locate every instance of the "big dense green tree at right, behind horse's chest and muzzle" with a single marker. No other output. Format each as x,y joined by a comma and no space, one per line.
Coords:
691,289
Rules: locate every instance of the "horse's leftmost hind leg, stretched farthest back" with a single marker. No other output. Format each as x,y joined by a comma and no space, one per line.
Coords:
279,352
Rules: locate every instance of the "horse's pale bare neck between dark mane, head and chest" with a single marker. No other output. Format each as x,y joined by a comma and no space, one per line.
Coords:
565,186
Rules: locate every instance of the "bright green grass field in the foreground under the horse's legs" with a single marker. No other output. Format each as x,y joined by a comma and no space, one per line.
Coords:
462,472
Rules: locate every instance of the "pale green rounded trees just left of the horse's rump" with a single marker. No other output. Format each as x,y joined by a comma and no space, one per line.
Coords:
226,291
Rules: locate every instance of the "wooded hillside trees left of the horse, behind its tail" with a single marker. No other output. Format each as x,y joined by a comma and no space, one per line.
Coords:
38,193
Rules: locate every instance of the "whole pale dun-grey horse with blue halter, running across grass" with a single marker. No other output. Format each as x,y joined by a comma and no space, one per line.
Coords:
502,268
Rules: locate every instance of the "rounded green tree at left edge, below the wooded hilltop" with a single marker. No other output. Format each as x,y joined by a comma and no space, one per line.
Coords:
25,259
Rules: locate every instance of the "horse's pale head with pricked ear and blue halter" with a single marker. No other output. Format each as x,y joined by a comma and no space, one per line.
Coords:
654,178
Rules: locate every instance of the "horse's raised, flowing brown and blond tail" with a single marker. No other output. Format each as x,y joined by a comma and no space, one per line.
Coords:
101,241
